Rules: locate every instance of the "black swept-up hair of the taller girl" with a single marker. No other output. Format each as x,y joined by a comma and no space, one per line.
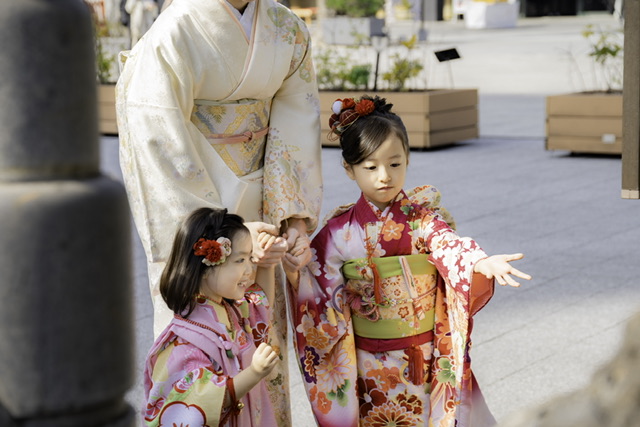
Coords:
364,136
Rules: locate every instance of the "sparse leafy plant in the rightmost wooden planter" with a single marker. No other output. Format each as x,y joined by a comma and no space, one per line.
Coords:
607,51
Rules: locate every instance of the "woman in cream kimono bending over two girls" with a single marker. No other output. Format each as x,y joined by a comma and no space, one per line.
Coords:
218,108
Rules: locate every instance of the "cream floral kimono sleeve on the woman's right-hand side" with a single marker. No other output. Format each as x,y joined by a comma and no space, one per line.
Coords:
292,178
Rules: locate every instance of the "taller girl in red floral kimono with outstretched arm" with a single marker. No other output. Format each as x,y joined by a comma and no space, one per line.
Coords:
383,312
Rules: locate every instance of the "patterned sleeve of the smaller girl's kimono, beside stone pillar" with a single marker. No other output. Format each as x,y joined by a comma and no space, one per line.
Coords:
186,388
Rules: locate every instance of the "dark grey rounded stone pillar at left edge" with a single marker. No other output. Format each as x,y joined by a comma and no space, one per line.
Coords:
66,352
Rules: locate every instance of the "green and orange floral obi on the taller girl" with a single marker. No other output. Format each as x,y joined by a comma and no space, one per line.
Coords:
406,309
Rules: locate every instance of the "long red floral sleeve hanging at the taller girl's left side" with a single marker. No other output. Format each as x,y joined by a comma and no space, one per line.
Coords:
324,336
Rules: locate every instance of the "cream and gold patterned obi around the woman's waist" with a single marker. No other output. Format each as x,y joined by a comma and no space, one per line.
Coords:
237,130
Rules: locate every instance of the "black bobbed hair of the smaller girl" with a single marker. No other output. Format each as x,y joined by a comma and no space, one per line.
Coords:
182,275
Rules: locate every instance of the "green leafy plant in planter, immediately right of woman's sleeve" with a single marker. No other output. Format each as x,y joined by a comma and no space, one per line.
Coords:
335,71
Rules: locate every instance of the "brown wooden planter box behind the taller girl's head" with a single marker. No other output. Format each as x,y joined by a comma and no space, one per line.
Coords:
433,118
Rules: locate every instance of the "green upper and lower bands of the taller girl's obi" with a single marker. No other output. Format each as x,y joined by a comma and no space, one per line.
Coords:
388,267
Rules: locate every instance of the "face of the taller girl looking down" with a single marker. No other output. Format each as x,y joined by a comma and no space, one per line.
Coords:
381,176
